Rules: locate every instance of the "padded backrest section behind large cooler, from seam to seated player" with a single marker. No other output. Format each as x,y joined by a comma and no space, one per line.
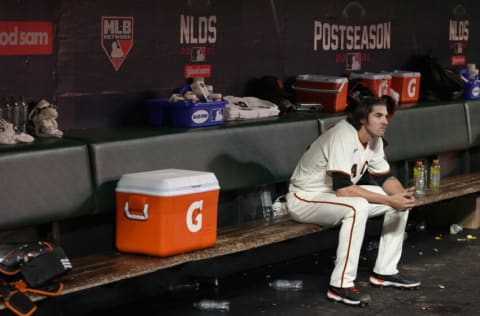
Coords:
241,155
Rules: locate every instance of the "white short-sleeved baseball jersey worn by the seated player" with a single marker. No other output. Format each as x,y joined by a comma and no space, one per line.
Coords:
337,150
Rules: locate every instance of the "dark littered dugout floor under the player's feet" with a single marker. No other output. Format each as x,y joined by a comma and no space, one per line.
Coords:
448,266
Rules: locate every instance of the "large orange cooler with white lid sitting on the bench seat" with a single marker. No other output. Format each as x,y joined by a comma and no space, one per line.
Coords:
166,212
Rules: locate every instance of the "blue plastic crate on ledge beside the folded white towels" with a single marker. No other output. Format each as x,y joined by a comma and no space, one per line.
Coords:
185,114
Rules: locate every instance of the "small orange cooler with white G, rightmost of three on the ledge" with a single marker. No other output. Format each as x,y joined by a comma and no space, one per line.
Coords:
407,84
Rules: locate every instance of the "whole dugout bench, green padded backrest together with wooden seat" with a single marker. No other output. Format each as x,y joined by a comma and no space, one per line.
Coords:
88,163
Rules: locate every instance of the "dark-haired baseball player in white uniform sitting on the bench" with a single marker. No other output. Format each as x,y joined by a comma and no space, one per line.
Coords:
326,189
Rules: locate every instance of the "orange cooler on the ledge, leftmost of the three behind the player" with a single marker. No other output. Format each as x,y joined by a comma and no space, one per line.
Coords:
329,91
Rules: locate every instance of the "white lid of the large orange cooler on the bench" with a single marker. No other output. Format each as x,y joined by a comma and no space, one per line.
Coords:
167,182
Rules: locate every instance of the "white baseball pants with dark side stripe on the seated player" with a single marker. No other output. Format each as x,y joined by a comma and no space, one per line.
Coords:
352,213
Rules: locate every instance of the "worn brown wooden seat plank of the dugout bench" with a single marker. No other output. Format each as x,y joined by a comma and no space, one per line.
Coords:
101,269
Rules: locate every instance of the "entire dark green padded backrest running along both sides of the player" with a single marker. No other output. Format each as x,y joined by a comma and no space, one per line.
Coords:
54,179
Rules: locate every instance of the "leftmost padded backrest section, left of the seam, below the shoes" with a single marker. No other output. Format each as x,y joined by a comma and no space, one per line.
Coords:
45,181
